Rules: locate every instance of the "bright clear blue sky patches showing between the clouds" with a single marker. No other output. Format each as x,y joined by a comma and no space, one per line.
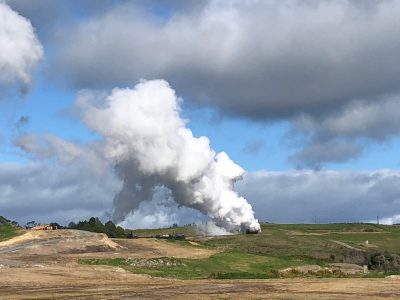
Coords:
253,145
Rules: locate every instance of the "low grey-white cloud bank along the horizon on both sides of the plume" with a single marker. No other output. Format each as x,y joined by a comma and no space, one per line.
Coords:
68,191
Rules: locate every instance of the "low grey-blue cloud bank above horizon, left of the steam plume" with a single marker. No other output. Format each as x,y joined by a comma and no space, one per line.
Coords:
59,192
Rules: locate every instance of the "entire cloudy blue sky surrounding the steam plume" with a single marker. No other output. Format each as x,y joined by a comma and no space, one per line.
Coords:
303,95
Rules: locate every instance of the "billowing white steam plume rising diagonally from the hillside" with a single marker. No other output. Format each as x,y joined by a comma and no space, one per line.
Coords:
151,147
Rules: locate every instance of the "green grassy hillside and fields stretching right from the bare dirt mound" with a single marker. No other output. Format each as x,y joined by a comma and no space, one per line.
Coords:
276,247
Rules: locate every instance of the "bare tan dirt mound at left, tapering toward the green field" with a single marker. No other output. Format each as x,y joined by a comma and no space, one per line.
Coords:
67,246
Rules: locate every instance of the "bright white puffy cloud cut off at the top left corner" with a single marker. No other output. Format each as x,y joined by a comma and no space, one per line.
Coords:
20,50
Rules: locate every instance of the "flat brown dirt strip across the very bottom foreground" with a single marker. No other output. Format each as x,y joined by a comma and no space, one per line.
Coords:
84,282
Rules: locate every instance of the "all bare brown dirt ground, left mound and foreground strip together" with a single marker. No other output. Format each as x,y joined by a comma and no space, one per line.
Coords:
44,265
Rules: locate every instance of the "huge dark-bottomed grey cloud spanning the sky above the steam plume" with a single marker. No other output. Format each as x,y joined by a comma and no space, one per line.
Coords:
260,59
